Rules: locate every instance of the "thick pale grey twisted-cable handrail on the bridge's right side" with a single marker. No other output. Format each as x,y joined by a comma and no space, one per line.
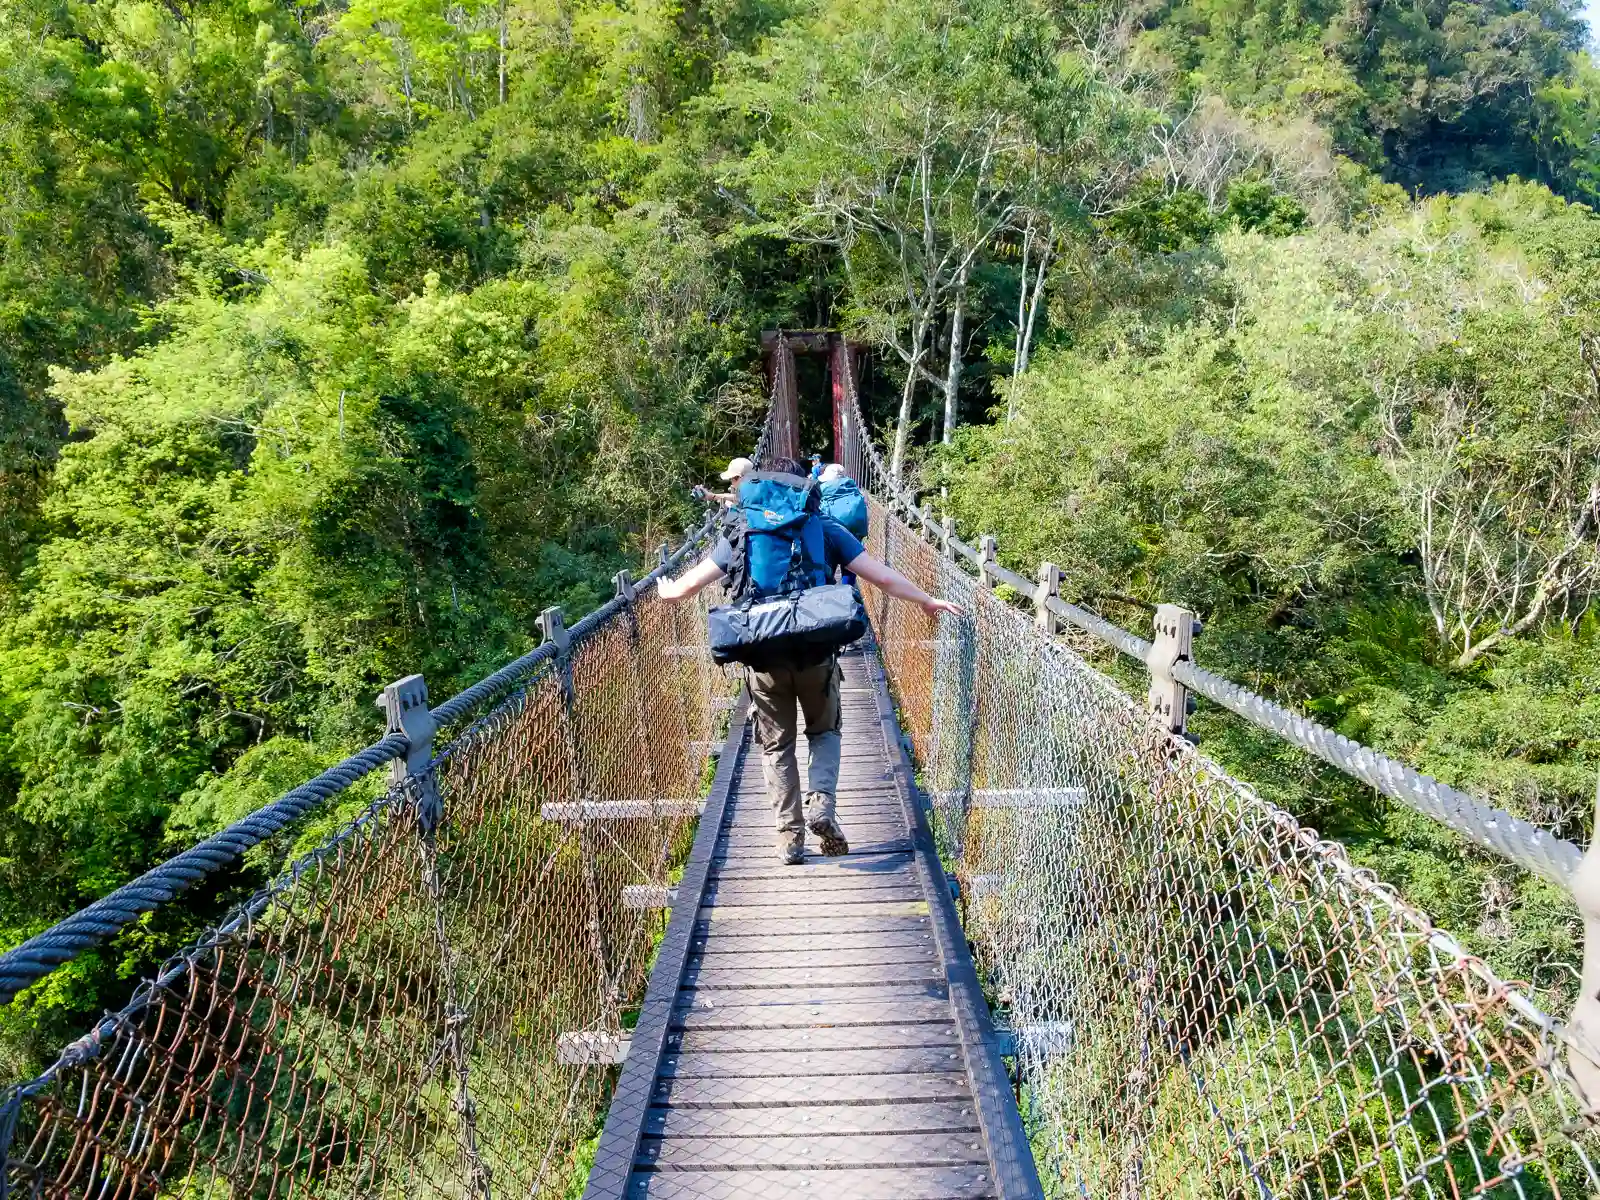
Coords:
1521,842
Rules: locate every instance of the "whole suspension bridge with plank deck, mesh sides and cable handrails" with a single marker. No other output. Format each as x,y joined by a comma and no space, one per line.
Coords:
548,948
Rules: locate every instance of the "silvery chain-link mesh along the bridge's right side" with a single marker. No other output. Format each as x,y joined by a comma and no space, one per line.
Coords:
1207,999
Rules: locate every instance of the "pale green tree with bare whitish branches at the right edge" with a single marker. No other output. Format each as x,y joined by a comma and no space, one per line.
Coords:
1490,409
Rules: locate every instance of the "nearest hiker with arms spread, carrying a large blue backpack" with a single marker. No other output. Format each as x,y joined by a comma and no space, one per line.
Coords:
786,548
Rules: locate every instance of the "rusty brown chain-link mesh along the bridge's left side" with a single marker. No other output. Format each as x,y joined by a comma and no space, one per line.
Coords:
415,1009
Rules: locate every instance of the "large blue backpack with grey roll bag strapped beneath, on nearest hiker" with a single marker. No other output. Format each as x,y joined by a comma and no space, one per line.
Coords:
783,612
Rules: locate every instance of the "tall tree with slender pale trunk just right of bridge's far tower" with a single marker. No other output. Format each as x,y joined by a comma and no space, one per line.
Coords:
868,142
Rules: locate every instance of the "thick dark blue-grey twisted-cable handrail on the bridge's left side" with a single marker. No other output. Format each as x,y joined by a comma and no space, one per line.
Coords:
89,927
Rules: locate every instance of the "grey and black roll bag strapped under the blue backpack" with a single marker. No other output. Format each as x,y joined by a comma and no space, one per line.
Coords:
802,628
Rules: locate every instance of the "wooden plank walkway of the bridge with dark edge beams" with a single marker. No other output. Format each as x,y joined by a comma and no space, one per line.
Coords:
825,1036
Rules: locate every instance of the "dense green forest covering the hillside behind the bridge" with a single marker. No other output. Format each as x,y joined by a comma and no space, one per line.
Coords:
337,340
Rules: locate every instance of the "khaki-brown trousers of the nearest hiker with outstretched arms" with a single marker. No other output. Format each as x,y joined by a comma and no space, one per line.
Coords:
775,695
